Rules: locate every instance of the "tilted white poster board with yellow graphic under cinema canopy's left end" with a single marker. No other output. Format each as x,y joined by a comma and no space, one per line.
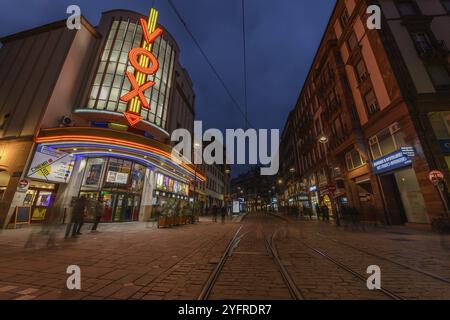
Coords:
51,165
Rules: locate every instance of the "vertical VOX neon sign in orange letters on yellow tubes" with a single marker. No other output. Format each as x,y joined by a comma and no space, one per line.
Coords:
145,64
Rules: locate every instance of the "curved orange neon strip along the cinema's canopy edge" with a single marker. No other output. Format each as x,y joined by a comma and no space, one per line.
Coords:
123,143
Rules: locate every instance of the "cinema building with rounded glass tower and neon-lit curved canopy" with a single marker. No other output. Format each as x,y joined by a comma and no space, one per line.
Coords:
63,129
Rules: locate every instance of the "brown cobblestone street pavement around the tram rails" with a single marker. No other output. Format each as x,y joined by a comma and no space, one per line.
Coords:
139,261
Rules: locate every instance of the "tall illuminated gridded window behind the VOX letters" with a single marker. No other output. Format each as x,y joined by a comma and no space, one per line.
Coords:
110,82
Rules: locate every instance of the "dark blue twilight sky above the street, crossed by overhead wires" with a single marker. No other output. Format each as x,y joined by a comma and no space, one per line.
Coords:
282,38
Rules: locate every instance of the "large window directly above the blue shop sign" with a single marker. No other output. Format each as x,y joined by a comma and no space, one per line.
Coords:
386,141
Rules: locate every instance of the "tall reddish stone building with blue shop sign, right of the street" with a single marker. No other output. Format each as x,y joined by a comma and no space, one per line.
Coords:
372,116
